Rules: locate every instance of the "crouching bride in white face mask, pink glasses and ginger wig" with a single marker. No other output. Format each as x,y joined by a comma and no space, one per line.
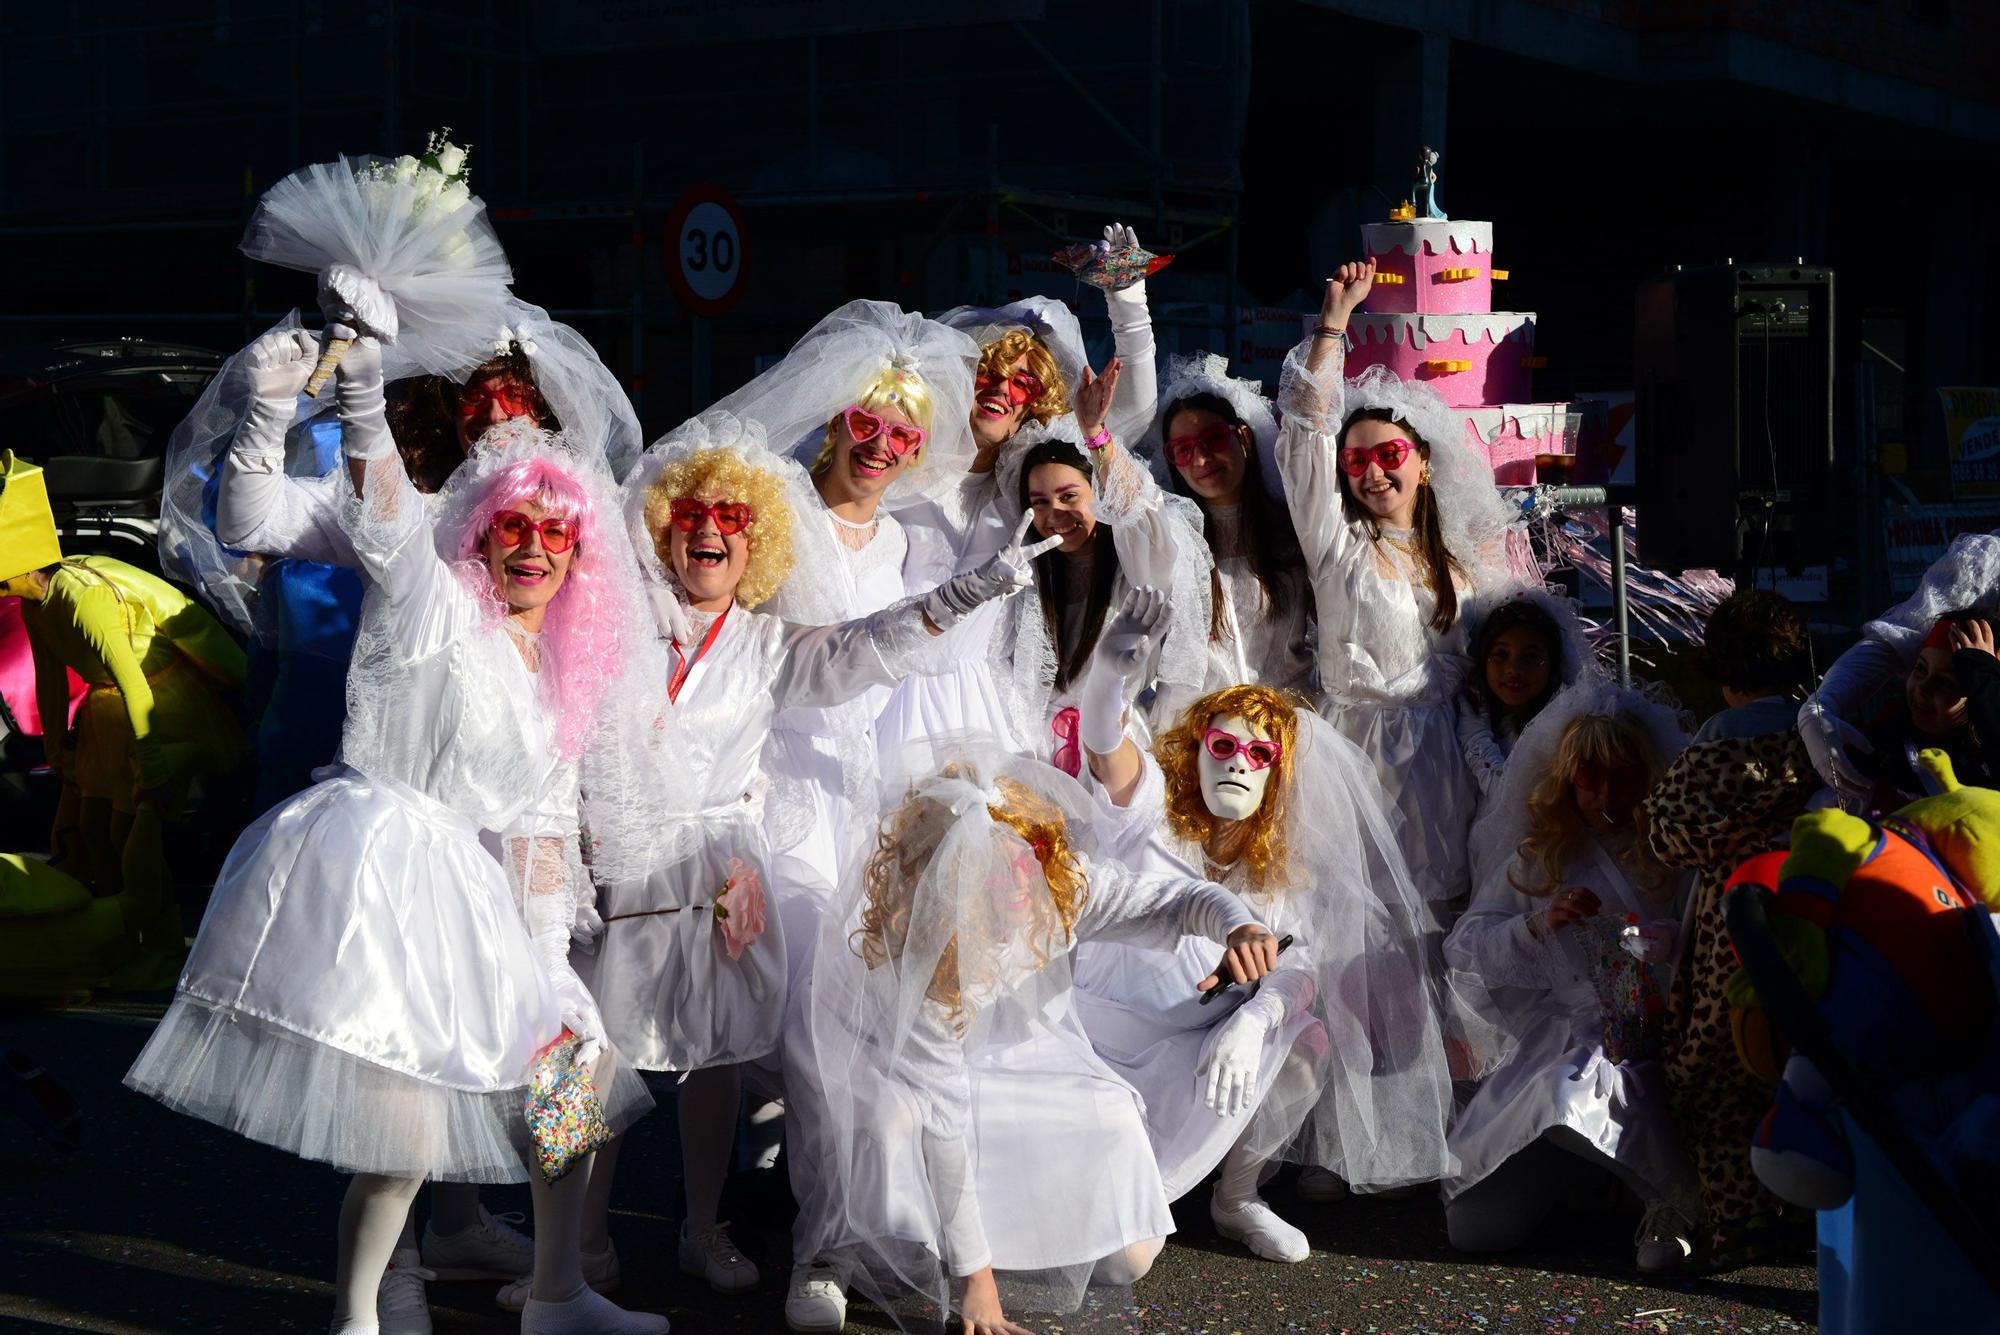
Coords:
1269,800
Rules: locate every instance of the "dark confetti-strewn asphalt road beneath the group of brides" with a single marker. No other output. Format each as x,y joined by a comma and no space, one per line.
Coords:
167,1224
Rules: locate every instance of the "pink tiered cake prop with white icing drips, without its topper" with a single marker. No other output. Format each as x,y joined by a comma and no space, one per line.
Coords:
1431,319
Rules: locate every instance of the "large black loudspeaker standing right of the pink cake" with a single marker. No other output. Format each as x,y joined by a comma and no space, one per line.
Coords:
1735,419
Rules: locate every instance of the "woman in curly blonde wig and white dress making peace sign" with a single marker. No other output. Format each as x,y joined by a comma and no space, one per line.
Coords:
691,970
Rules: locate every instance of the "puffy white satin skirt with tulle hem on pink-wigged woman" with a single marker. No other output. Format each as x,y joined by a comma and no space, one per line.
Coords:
363,992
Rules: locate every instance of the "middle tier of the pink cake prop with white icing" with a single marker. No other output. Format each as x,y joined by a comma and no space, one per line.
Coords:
1471,361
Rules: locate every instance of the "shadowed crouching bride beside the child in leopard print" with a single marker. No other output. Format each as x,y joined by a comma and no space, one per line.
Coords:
1571,938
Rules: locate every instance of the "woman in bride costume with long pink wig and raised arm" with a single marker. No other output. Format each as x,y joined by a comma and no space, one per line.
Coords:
371,984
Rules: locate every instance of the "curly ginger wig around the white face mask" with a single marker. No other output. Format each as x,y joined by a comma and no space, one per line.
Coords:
1179,752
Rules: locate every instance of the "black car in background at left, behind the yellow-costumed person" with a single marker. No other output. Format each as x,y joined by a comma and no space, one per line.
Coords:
95,413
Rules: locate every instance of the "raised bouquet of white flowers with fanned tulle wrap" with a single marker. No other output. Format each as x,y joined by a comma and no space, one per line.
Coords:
401,245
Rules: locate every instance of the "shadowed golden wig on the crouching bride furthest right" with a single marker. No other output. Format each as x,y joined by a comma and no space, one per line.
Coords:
1557,828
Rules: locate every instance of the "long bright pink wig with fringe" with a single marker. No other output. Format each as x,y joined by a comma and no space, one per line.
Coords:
583,629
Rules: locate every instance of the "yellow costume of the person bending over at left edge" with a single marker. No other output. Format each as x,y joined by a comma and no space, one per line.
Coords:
153,661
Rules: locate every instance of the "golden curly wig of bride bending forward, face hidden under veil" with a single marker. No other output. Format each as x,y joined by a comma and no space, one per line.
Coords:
905,846
